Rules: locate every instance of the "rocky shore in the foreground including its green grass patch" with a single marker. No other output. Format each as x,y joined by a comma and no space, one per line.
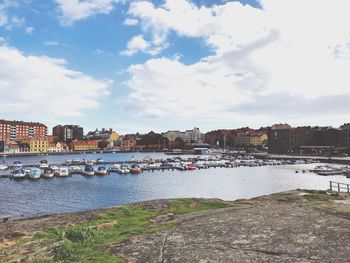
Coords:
294,226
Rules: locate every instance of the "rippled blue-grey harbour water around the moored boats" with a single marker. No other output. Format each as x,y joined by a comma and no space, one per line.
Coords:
77,193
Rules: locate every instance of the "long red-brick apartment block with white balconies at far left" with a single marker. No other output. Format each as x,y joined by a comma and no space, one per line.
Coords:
11,131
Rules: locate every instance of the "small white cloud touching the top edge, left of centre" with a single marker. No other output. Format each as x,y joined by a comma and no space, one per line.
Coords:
75,10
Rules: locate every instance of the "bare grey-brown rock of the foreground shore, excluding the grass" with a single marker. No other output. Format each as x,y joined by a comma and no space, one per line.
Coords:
294,226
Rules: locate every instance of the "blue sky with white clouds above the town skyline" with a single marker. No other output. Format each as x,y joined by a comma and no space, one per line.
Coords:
137,66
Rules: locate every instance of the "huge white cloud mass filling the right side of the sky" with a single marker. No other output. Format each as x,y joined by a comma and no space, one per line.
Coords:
299,48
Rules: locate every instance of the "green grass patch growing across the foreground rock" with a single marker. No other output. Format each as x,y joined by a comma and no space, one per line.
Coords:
89,241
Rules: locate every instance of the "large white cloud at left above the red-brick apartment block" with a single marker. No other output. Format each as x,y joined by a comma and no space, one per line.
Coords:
45,88
